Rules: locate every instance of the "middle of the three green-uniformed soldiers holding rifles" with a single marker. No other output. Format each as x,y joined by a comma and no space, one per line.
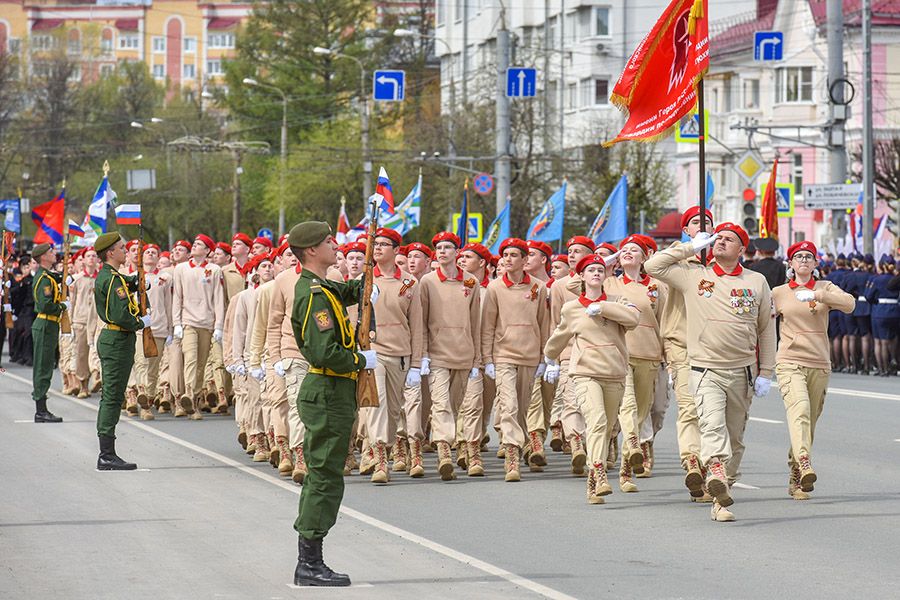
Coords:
114,296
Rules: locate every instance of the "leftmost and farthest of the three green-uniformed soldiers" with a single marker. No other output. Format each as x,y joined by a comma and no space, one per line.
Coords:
46,289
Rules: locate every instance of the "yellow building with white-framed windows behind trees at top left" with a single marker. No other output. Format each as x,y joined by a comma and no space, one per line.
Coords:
183,42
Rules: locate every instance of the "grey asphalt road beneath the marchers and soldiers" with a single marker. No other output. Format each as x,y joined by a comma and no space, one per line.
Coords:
200,520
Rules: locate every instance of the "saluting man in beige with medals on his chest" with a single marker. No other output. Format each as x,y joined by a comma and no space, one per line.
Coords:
731,347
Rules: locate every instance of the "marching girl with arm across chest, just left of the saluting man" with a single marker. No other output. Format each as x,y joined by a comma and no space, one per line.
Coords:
596,324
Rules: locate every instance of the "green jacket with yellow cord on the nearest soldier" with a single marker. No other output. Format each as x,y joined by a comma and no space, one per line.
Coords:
321,327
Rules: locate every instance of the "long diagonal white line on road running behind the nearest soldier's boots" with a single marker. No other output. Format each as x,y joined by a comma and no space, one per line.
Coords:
461,557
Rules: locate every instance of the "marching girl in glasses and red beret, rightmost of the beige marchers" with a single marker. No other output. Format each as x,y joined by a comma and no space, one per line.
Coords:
803,363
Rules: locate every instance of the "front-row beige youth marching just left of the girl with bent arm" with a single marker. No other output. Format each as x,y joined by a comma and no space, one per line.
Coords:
514,329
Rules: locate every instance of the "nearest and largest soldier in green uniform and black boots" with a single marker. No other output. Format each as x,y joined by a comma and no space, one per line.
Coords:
327,398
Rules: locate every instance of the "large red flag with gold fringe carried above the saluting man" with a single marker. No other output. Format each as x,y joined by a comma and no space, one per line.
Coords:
658,86
